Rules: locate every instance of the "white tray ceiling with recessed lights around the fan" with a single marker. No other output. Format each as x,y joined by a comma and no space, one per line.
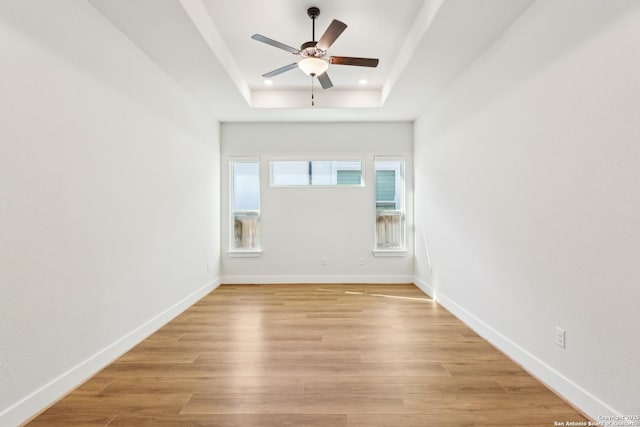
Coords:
205,45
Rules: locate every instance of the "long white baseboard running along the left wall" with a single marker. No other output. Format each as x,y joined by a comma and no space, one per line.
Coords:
43,397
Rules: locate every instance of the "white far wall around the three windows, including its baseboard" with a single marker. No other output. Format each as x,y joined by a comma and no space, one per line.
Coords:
300,226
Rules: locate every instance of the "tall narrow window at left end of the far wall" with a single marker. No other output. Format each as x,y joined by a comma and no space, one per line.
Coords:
245,205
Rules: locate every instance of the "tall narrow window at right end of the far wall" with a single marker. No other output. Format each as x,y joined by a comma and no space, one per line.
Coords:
389,179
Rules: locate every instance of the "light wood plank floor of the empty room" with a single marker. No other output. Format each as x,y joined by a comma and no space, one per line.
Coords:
312,355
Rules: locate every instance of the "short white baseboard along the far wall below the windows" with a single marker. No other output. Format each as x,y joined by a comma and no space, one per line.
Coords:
289,279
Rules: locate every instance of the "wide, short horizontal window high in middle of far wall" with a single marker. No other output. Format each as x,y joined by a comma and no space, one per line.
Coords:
285,173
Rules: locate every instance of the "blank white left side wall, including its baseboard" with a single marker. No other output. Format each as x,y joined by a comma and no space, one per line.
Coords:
109,200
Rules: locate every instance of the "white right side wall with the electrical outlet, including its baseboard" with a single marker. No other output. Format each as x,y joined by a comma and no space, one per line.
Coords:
527,178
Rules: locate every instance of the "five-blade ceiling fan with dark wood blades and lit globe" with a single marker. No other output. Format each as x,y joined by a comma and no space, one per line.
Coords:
314,61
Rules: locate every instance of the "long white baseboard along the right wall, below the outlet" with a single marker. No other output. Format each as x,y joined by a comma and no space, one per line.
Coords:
575,395
